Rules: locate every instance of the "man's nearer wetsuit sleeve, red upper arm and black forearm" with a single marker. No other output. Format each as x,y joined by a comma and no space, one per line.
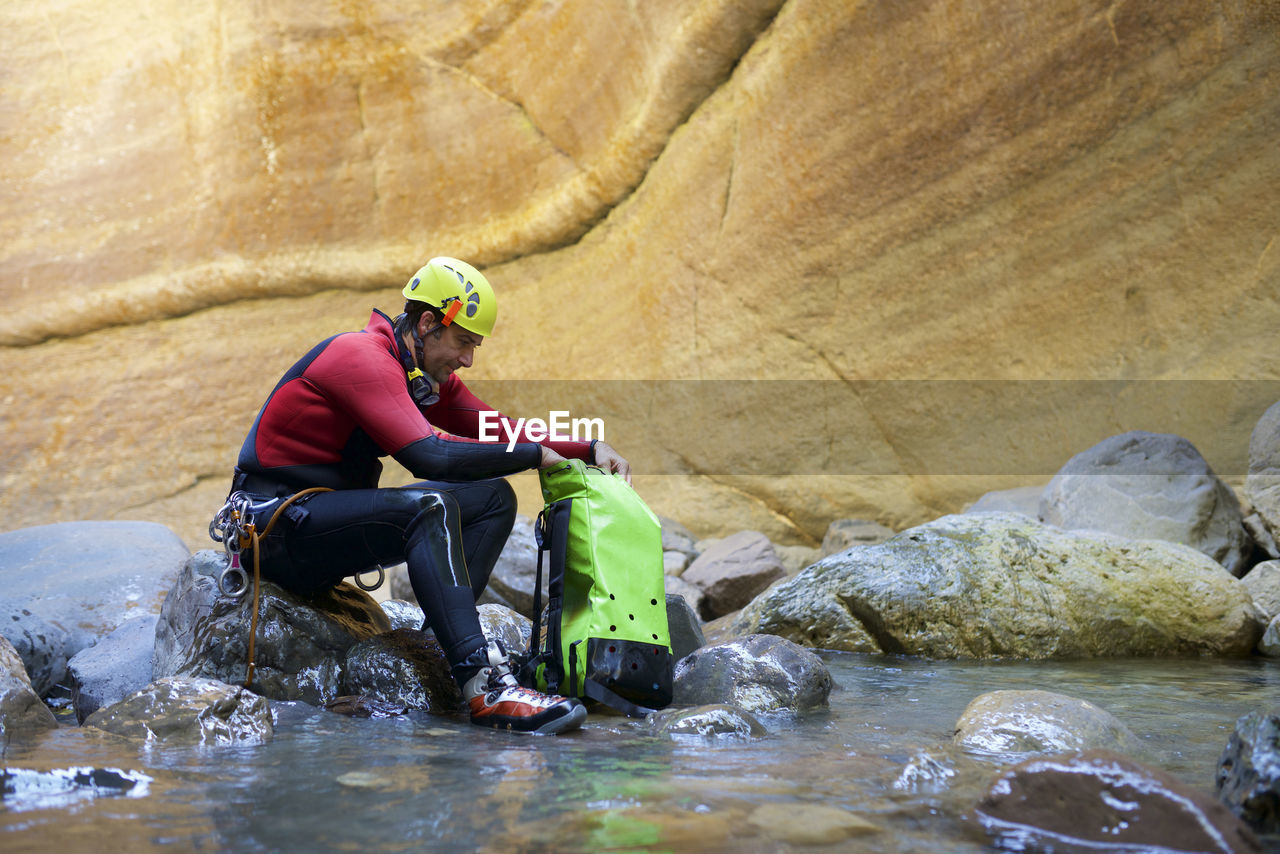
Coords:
371,390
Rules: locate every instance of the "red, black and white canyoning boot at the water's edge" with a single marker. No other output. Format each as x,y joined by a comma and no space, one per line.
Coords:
499,701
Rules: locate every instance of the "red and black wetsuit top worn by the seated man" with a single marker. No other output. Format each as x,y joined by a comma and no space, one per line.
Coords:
346,404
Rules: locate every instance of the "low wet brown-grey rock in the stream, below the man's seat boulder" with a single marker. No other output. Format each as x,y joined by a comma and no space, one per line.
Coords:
189,710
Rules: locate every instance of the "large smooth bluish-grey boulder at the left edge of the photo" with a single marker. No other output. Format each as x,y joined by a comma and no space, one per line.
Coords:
89,578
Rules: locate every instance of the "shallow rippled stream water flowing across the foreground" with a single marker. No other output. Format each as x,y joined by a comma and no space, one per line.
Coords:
881,753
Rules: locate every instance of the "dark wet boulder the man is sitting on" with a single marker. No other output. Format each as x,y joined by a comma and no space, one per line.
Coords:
300,646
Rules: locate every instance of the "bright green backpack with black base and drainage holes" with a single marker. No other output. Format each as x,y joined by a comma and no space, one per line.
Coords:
606,636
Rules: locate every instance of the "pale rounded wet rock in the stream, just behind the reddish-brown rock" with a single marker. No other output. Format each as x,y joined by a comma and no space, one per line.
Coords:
1028,723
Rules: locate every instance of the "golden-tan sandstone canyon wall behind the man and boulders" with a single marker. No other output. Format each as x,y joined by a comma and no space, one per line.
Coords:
808,259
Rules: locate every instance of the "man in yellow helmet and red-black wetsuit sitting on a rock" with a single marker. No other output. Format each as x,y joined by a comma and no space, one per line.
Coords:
383,391
